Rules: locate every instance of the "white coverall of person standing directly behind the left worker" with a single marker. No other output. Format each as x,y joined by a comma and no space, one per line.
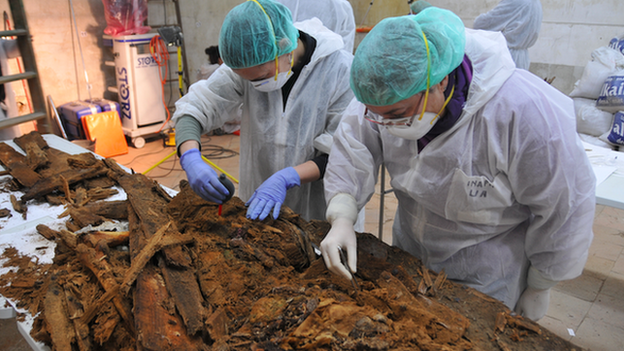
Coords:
337,15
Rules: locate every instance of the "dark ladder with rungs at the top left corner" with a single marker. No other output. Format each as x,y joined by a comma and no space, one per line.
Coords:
30,74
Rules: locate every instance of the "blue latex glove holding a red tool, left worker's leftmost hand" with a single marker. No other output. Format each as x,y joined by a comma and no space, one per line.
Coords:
203,179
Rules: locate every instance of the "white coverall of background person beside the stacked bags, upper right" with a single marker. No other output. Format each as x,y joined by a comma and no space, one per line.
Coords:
520,21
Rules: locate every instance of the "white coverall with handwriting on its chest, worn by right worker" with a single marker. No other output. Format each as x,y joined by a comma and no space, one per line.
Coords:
507,186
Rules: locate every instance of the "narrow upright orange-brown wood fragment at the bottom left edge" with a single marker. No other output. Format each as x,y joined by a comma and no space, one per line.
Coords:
57,322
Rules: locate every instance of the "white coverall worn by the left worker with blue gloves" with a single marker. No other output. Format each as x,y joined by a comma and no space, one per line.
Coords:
274,137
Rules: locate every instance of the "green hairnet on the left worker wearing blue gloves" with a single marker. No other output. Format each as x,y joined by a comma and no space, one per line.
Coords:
256,31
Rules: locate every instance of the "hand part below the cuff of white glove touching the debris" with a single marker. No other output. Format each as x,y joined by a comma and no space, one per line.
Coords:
340,237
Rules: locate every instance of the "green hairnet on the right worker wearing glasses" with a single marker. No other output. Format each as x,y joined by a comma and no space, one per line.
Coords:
390,64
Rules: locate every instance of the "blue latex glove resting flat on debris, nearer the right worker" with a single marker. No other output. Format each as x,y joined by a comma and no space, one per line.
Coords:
271,194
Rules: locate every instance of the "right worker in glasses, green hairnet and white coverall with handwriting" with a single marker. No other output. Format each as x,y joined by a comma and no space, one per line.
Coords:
492,180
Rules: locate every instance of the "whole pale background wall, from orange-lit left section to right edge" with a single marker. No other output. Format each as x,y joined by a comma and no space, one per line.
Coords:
571,30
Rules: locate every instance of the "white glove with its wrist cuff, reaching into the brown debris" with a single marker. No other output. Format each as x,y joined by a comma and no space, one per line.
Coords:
341,213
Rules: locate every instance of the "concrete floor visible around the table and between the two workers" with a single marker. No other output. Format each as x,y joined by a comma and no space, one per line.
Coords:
588,311
